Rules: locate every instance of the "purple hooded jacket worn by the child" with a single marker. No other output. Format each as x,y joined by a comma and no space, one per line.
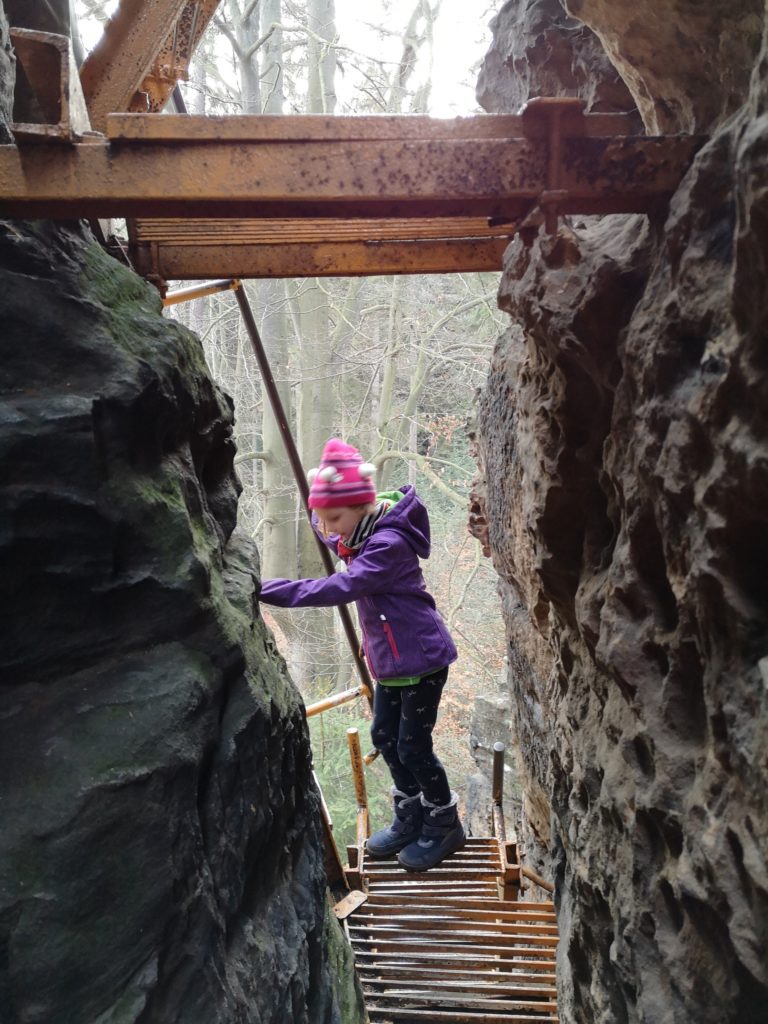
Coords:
403,632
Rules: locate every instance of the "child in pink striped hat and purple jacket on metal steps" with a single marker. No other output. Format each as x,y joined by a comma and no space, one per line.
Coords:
406,643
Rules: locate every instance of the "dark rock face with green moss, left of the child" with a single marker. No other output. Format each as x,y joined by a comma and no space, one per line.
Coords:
160,857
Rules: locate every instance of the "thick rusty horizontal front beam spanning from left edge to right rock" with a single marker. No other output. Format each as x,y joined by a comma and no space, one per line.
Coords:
346,180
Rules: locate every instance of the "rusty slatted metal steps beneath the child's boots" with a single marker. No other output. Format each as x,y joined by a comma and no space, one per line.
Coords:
447,947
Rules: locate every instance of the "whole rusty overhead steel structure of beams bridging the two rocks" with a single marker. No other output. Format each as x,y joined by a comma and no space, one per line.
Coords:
276,197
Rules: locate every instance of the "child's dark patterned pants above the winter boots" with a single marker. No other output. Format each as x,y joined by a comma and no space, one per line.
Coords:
402,731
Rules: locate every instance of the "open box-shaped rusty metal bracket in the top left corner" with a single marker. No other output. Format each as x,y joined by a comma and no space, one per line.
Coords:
50,66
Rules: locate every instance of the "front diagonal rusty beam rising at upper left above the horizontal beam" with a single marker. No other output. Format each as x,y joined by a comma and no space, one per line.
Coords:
119,64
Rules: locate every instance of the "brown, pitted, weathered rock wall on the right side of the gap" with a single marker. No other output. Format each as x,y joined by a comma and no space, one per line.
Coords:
624,451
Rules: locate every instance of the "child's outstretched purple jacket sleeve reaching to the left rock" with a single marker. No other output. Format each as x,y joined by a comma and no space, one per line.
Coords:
373,572
